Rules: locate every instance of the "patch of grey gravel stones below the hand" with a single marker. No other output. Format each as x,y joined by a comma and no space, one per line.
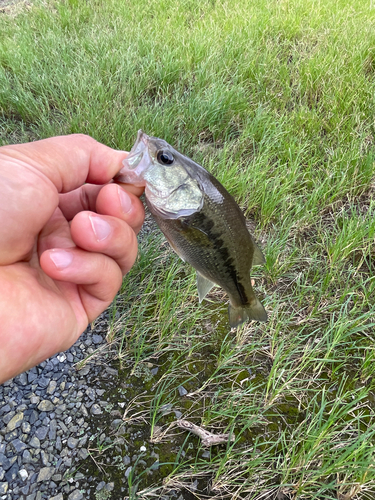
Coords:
47,417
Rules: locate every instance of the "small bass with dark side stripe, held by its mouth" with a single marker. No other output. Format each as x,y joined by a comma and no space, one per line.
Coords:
201,221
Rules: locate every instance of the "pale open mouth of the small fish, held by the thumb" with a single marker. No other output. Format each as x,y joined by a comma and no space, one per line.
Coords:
136,163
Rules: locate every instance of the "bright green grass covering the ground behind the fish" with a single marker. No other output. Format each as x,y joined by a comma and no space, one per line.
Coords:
276,98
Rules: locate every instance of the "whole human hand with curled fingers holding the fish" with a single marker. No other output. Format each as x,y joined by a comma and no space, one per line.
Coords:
64,244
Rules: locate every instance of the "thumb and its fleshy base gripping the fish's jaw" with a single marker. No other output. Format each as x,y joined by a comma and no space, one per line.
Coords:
33,174
